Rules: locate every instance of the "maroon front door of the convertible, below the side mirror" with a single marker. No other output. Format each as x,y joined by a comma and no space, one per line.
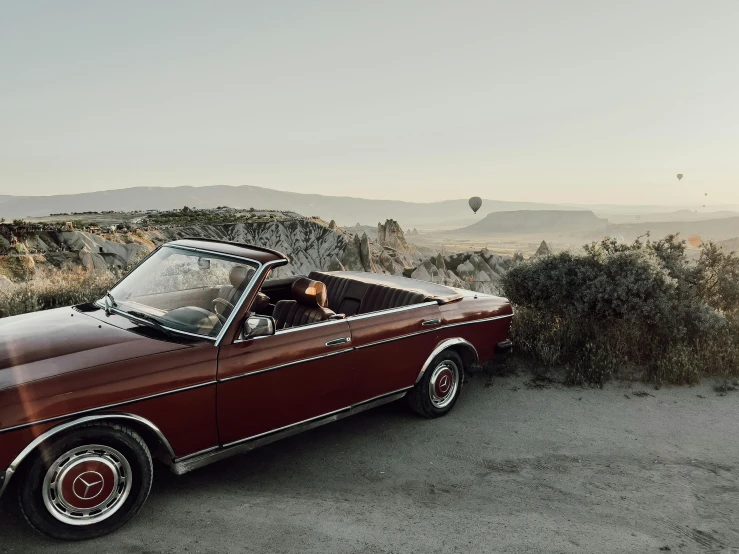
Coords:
277,381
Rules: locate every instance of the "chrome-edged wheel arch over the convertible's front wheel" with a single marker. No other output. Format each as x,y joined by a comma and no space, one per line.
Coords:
150,433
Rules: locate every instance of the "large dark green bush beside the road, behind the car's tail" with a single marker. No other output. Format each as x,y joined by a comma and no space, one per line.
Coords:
641,307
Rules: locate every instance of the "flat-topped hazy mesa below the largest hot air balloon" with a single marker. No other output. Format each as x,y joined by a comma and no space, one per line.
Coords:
524,222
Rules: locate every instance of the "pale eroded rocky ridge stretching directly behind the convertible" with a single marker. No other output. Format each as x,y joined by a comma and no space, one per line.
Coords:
309,243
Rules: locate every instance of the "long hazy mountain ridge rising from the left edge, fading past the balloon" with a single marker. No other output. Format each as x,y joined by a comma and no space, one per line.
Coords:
345,210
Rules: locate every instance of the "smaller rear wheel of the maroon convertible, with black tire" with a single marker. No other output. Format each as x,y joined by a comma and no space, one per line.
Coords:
427,398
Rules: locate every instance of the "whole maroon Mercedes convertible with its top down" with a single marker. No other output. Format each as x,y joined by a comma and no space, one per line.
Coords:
198,354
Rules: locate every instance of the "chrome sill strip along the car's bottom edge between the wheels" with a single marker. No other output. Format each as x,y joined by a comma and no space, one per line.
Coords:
205,457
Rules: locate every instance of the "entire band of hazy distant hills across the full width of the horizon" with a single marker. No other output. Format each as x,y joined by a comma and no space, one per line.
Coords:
450,214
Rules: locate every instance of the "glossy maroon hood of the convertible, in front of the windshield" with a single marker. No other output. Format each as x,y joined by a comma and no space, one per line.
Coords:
48,343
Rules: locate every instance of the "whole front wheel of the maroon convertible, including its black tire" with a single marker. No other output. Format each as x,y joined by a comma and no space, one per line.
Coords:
72,464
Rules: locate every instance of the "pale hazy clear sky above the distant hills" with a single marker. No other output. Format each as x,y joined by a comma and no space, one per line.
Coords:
576,101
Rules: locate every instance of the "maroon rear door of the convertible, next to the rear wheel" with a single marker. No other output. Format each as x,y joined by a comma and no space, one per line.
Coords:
391,346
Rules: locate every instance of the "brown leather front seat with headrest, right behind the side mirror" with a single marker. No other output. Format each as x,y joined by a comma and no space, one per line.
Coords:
308,306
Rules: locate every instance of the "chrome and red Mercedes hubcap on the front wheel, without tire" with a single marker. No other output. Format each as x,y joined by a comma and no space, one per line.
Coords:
87,484
